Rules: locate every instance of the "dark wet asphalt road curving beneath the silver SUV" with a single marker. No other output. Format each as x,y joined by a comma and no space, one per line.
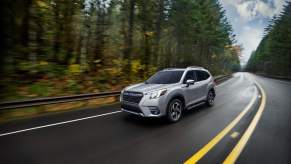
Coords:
106,135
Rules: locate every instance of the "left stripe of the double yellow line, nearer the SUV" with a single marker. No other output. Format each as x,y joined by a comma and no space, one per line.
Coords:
197,156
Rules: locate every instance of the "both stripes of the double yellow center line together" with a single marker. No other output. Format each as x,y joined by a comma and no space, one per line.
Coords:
232,157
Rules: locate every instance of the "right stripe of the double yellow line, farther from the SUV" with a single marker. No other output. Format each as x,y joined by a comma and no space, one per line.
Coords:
234,154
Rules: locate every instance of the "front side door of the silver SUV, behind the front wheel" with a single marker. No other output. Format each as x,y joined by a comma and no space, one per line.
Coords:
190,91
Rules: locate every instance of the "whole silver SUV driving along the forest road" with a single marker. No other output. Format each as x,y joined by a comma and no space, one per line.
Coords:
169,92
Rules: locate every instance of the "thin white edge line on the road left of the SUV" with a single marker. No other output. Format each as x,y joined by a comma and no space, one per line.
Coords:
59,123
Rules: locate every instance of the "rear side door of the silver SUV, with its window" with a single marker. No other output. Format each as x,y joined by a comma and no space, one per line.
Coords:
201,84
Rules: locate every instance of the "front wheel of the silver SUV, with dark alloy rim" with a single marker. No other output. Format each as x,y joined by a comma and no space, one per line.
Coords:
174,111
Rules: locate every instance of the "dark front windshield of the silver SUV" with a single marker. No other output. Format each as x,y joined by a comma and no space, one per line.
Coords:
165,77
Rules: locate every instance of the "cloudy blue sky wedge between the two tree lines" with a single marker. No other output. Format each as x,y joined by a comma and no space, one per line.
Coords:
248,19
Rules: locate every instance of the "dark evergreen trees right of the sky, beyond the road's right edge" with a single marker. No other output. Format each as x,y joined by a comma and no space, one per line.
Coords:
273,55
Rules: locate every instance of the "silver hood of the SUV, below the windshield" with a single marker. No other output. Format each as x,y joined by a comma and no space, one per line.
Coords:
144,88
